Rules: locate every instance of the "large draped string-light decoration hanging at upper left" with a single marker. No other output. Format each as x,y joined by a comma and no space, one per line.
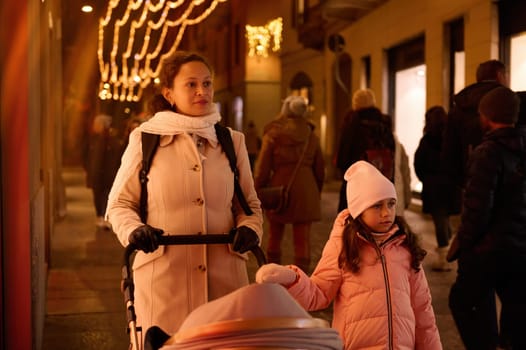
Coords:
135,36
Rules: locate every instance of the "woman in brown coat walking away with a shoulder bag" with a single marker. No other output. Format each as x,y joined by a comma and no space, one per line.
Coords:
286,141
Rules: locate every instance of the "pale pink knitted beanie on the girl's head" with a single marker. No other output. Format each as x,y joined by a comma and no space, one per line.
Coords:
365,186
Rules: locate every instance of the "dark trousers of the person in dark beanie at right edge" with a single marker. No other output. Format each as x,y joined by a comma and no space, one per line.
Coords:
472,300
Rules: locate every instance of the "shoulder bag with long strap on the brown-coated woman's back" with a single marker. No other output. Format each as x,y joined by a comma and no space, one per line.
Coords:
276,198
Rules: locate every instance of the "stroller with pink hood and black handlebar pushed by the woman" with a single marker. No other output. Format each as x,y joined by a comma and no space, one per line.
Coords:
257,316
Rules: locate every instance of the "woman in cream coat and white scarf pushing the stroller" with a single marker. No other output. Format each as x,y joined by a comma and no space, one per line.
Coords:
190,191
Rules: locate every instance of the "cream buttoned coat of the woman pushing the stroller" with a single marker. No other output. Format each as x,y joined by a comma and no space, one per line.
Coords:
189,192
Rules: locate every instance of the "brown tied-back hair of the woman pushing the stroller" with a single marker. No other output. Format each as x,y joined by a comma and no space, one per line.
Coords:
171,66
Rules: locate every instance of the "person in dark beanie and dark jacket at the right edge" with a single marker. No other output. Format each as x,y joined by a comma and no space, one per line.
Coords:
491,247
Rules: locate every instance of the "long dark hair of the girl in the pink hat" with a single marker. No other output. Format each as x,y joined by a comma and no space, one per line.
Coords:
350,255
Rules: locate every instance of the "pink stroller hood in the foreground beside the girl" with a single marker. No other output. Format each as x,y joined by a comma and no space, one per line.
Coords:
258,315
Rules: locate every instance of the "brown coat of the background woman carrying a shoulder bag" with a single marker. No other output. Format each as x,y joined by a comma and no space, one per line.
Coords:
283,143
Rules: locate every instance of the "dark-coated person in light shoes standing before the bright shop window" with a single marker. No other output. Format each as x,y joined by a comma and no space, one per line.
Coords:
435,196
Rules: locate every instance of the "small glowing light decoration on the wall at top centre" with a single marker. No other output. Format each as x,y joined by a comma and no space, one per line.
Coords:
260,37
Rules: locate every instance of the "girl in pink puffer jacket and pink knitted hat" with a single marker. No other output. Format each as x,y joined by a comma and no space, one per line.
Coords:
371,268
